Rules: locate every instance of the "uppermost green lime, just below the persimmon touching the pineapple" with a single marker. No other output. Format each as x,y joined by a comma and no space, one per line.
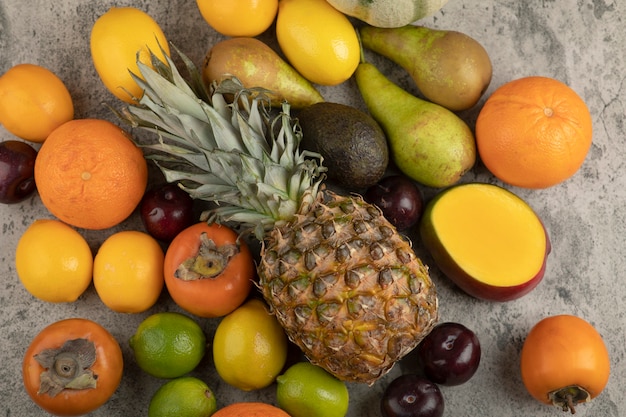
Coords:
168,345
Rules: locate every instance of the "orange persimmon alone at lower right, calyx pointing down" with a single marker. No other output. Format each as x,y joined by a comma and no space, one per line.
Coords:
564,362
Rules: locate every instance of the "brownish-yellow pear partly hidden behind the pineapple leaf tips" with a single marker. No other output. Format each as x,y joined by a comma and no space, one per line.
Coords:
255,64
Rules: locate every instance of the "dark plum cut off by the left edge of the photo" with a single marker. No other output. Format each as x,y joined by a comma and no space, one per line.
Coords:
17,165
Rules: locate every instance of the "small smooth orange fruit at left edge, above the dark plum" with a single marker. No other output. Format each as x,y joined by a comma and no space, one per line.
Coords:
33,102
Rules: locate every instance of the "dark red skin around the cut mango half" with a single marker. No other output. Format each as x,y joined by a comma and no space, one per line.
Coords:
466,282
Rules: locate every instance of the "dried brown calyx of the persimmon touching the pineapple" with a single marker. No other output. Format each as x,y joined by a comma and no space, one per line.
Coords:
208,262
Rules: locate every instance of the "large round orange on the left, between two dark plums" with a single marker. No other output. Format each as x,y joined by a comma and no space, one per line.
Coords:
90,174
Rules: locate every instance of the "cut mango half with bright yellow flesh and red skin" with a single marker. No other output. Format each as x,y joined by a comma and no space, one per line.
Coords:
487,240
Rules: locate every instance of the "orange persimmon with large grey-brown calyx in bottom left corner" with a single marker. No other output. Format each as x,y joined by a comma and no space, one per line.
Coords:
72,367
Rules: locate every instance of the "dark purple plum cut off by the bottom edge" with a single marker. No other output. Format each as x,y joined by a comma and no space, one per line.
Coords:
411,395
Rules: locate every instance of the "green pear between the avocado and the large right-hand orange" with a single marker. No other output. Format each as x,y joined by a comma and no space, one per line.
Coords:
427,142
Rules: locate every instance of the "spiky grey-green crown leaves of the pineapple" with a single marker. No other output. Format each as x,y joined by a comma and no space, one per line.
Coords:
235,154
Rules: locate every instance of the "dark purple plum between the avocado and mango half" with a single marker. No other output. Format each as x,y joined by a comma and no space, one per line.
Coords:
399,199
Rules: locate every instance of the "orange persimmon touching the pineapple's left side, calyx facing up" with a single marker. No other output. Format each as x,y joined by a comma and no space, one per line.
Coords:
209,271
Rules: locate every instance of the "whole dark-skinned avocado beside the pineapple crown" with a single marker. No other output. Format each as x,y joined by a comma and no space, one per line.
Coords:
352,143
